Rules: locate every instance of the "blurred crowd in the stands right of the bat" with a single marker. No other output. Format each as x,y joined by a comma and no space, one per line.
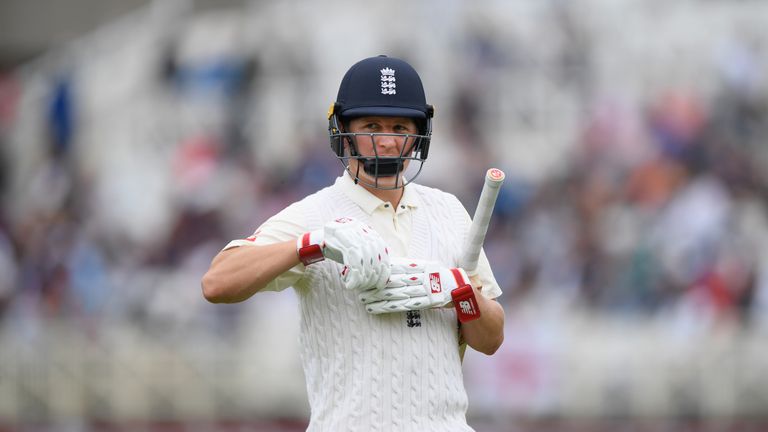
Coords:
662,208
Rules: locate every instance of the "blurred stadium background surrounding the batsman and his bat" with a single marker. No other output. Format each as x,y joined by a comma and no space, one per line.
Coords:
137,138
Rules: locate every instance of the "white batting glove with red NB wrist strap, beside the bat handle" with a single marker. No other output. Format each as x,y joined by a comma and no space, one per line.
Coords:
417,285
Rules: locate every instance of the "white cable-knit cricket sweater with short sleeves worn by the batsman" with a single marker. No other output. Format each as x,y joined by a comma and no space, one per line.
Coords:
391,372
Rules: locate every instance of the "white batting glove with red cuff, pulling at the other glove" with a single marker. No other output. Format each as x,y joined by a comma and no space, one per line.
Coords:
350,242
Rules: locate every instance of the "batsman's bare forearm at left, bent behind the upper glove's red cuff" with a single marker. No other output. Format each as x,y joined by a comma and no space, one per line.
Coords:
238,273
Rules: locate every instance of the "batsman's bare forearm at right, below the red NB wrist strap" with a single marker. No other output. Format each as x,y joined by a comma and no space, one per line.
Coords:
486,333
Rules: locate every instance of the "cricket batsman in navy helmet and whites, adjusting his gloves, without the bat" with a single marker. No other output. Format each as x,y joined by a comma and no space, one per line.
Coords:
375,261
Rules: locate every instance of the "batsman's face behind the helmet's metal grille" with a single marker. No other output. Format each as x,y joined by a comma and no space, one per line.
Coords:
382,145
